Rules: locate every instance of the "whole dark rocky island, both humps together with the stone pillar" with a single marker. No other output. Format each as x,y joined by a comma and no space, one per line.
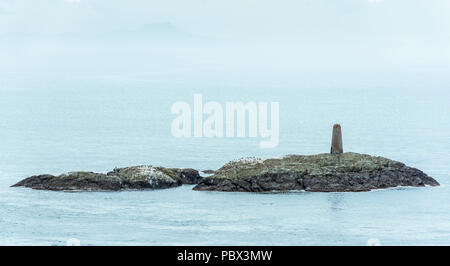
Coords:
332,172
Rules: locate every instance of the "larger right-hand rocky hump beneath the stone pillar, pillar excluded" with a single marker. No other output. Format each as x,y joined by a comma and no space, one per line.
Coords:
320,173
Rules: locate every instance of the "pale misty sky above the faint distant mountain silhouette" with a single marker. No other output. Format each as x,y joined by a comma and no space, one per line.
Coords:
353,20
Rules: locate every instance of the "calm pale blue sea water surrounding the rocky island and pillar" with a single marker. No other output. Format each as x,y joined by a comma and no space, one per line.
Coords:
96,112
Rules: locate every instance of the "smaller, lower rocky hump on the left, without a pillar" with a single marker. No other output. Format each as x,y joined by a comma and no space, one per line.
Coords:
136,177
